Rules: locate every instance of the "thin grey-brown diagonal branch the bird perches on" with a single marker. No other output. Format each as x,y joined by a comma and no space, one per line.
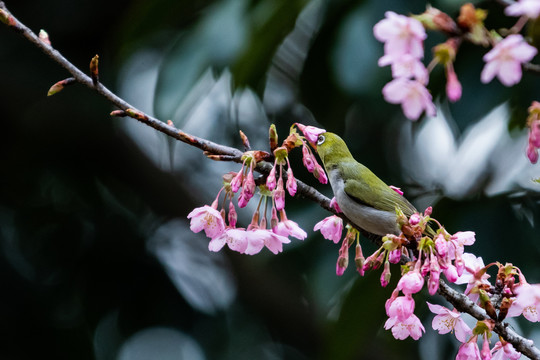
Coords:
226,153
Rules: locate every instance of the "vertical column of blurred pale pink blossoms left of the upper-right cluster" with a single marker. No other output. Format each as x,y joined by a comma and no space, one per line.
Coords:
403,39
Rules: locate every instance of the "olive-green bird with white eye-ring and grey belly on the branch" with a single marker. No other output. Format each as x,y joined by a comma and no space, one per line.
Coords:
364,198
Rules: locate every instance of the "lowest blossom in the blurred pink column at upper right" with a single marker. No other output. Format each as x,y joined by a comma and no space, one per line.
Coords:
412,95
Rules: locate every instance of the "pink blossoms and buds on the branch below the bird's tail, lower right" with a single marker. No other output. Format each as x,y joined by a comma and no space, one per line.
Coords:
431,253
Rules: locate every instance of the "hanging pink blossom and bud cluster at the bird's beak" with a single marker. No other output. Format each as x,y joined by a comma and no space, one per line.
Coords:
268,228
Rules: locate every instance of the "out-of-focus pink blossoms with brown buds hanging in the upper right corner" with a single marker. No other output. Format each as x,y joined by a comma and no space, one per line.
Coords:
403,38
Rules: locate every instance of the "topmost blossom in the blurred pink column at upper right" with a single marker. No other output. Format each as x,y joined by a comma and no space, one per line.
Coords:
401,35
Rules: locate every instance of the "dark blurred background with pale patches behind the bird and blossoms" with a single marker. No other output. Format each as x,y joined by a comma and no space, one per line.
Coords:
96,257
